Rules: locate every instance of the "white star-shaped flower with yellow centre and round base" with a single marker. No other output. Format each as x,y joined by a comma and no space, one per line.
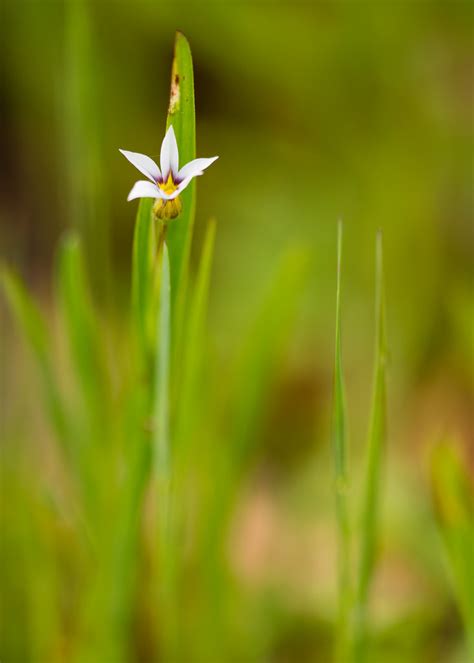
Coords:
165,183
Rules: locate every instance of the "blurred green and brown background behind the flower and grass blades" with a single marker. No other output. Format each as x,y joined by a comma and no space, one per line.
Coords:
360,111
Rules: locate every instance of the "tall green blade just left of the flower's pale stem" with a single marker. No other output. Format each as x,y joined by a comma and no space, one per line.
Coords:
133,432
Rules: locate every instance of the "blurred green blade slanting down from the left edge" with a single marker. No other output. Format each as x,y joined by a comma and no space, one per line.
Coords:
32,324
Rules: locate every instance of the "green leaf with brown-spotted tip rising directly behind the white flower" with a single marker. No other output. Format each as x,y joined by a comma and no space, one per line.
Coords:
181,115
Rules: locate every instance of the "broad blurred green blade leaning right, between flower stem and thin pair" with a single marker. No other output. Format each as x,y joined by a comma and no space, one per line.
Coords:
233,447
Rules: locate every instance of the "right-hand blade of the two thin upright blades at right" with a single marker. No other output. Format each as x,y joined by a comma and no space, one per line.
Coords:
375,446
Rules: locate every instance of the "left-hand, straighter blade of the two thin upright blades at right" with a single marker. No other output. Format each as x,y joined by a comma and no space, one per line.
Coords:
341,478
